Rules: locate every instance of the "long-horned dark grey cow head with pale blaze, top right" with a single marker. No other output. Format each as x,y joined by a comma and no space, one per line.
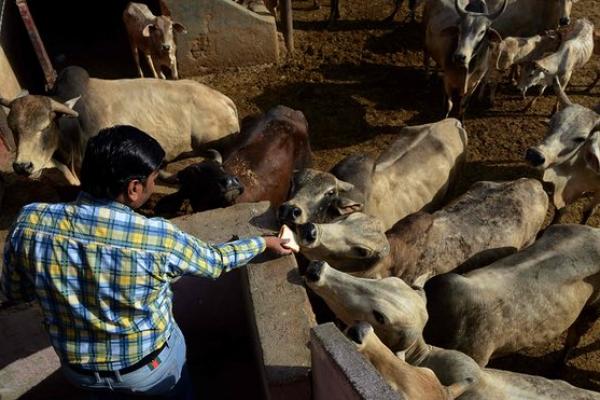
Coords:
474,28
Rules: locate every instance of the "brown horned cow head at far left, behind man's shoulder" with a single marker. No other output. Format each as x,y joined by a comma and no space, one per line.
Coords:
34,122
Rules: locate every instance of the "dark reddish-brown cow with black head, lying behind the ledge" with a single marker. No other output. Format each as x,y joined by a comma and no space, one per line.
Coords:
259,167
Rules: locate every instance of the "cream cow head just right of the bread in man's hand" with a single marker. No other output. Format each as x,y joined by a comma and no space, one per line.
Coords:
353,243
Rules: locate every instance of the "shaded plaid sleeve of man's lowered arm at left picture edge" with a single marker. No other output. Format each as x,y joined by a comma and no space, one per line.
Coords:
14,282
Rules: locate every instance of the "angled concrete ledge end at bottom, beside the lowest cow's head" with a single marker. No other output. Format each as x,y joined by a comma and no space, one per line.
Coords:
339,371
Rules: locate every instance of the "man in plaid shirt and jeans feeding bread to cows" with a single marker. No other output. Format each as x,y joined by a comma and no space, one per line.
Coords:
102,273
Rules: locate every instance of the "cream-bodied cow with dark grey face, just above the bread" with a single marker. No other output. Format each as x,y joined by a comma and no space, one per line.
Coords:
414,173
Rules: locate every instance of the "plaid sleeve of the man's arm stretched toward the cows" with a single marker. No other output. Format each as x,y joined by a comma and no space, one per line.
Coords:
191,256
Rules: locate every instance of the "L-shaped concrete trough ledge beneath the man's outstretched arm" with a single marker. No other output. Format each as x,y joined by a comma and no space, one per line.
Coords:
279,312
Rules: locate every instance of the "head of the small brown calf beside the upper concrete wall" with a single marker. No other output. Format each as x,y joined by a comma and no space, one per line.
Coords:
162,40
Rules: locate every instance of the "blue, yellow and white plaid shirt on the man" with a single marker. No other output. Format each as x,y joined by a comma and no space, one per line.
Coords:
102,275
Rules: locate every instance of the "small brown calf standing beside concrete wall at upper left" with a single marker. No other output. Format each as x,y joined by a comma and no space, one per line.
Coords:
152,35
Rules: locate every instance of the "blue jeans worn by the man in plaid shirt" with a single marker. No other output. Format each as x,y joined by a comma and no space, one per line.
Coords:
169,380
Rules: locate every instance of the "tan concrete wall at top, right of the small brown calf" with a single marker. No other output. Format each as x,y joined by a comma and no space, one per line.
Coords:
221,33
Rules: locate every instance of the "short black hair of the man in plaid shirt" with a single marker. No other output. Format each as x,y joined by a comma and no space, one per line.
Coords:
116,156
